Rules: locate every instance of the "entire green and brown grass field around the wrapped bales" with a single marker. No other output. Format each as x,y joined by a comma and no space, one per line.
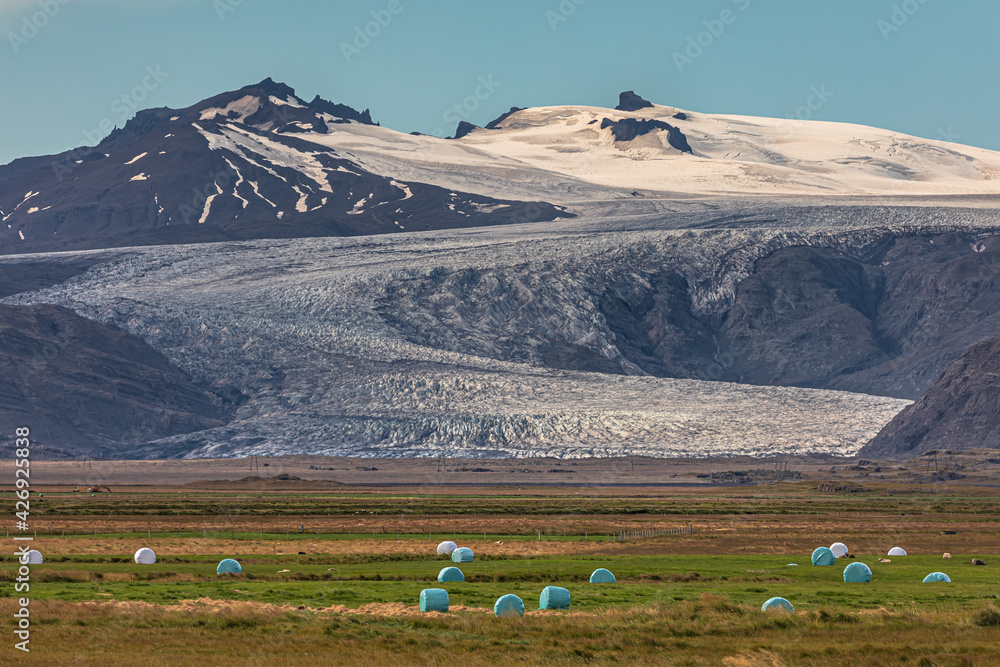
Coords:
351,597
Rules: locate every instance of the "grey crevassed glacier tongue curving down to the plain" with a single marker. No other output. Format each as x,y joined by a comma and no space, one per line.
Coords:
301,328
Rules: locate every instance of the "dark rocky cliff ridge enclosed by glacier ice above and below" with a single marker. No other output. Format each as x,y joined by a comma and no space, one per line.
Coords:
884,320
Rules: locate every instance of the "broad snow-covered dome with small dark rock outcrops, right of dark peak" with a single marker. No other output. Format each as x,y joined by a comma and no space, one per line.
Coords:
574,155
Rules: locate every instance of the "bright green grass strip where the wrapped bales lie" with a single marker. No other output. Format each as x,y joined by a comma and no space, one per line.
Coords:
318,580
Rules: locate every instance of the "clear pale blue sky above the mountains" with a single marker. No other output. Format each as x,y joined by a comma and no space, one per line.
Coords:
935,76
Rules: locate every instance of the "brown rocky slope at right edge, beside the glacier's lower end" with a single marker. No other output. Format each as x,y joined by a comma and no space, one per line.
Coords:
960,411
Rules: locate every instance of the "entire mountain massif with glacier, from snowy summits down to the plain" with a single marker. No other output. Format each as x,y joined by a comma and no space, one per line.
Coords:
716,285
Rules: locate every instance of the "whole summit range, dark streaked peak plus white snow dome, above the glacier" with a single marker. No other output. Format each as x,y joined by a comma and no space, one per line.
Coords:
261,163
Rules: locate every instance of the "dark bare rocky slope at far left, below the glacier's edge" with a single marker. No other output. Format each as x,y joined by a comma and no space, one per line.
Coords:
82,386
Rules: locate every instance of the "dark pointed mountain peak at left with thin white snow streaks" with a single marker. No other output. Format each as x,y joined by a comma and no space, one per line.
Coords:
236,166
